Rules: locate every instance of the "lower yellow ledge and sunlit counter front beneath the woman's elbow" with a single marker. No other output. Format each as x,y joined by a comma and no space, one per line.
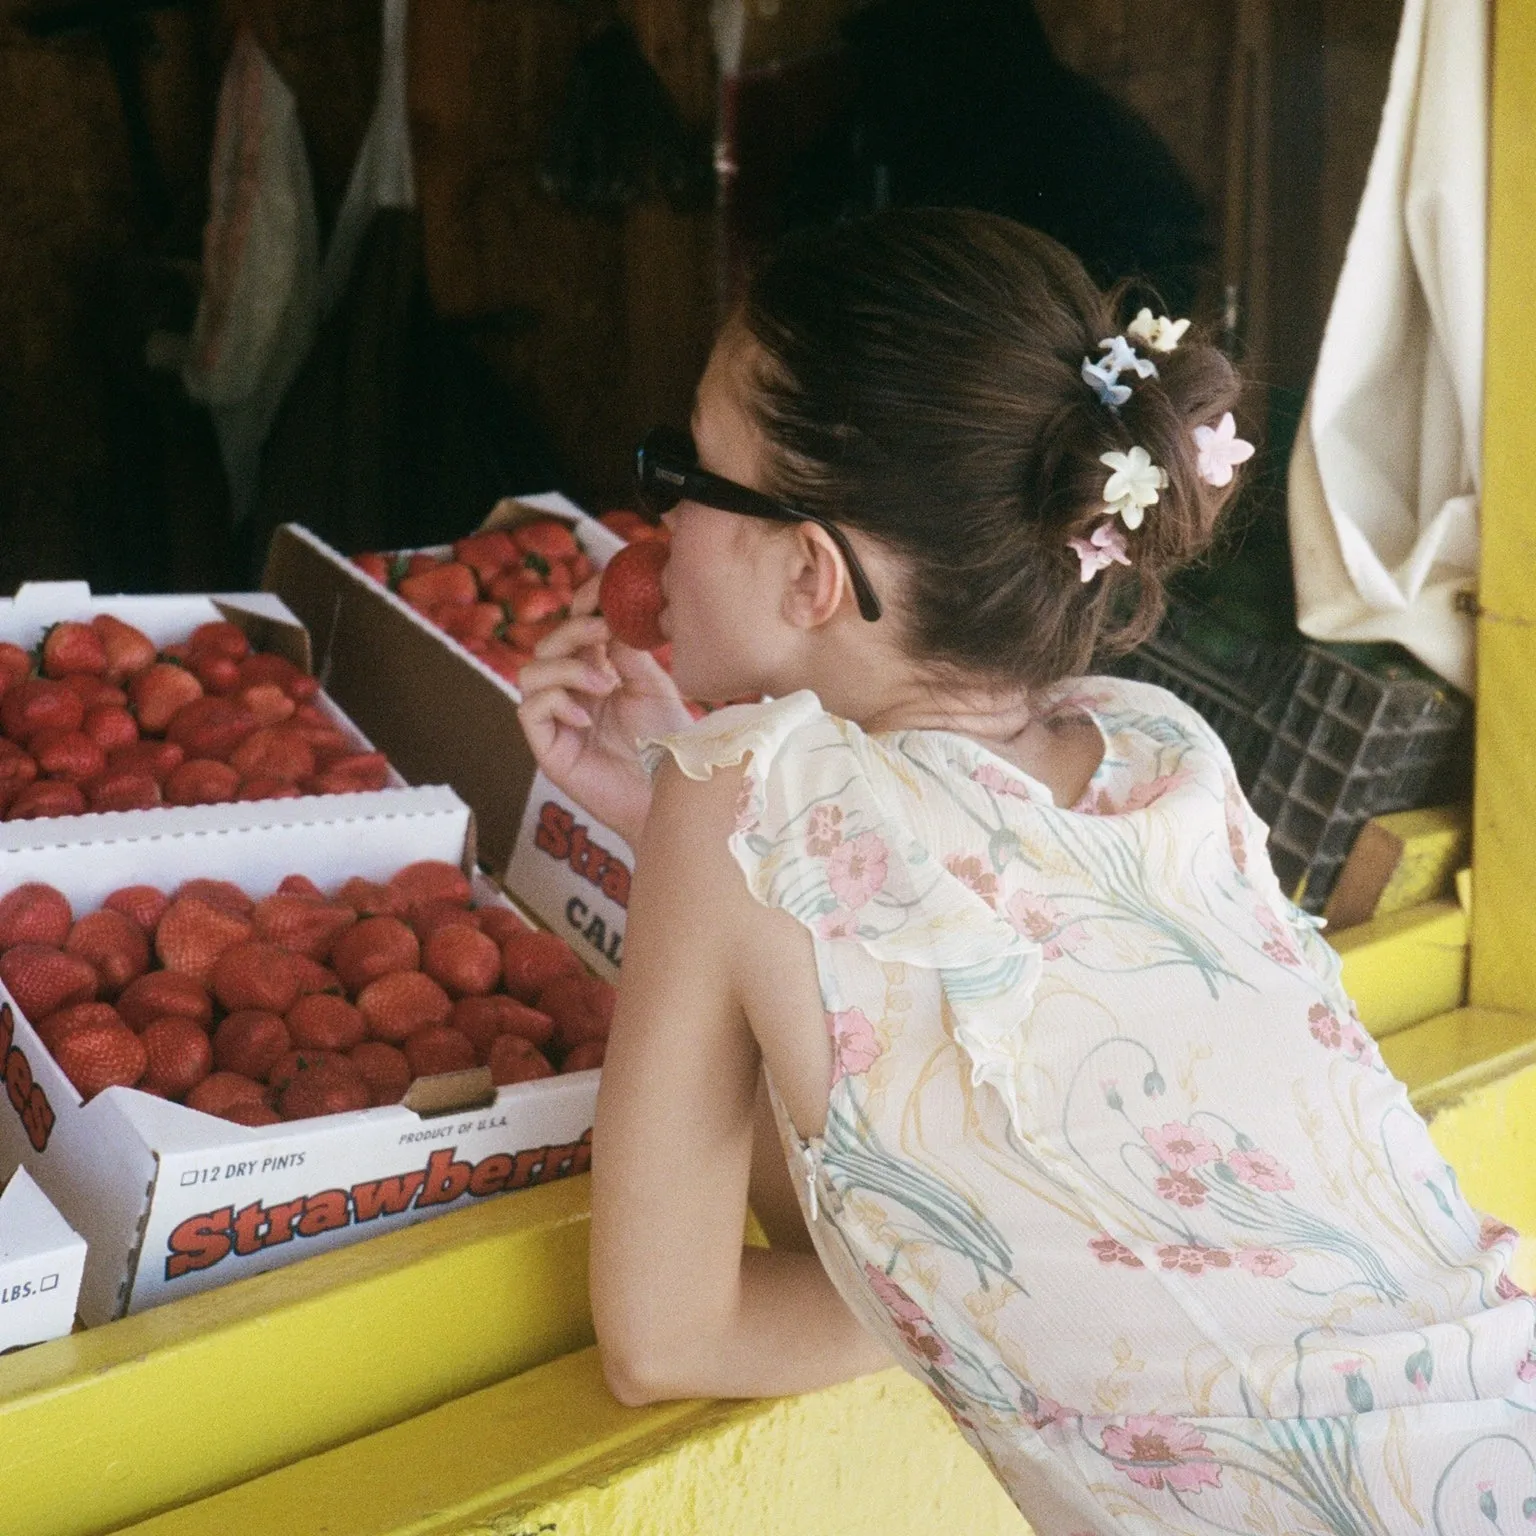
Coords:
552,1452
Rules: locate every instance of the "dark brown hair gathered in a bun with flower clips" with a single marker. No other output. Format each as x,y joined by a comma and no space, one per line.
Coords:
921,380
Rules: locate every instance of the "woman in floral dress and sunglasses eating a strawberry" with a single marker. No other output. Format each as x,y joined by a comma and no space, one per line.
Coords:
1081,1121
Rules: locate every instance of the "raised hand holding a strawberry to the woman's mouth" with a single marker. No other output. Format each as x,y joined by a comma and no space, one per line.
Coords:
586,703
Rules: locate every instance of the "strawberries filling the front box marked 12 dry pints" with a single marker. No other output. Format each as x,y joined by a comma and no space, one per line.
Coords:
299,1004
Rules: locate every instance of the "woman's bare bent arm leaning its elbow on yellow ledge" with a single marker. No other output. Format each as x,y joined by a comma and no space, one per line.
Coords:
681,1308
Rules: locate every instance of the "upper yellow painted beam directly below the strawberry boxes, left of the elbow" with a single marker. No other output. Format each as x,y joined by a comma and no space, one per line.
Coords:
113,1425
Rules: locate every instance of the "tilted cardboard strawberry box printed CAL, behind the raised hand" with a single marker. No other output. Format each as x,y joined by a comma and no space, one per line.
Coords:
446,718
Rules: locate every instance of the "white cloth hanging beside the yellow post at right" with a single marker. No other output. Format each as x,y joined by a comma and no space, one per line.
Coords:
1386,471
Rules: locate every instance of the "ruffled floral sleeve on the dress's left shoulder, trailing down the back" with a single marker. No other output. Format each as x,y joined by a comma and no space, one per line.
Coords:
844,835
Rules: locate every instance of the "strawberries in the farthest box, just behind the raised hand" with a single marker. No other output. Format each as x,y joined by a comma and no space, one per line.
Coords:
505,589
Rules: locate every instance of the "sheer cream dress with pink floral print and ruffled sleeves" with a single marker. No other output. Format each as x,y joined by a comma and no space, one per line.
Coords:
1110,1162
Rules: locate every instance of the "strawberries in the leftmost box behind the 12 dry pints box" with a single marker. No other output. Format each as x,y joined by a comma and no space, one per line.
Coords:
101,721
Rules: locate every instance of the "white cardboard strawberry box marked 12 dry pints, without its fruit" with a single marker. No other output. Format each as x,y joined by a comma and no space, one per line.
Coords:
174,1202
